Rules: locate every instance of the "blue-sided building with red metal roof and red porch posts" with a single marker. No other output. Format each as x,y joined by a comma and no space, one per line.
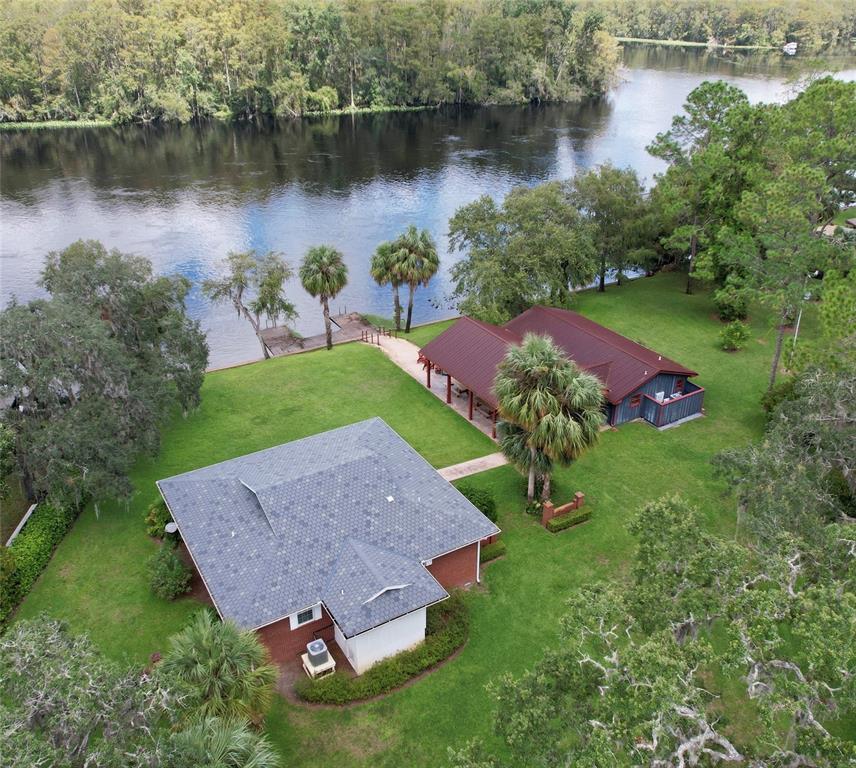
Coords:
638,382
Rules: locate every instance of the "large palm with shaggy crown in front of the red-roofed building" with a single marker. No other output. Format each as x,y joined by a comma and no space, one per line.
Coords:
553,402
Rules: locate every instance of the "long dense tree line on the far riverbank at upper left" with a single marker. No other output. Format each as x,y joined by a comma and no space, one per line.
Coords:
185,59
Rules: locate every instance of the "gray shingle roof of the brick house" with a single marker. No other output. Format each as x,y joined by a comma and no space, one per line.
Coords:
311,521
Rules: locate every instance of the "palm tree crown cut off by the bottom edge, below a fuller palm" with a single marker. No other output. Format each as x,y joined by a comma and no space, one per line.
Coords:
214,742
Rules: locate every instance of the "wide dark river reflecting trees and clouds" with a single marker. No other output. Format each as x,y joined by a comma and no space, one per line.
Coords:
185,196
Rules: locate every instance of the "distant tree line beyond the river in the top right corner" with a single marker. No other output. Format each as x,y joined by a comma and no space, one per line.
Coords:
811,23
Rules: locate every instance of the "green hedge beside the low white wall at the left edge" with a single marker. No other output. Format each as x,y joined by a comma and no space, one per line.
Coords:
30,552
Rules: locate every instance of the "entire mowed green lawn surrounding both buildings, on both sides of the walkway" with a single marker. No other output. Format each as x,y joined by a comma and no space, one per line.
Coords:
97,578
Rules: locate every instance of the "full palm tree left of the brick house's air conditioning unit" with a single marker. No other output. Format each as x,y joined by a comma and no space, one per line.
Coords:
223,671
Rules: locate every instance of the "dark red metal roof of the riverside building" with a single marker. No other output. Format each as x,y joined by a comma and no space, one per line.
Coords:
470,350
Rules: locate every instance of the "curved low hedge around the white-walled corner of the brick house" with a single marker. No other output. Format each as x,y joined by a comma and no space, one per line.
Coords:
447,630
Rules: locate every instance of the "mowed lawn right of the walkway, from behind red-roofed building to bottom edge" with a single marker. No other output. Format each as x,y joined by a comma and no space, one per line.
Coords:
515,615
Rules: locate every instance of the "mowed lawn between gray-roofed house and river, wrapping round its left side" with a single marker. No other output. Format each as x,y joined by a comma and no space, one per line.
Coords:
97,579
